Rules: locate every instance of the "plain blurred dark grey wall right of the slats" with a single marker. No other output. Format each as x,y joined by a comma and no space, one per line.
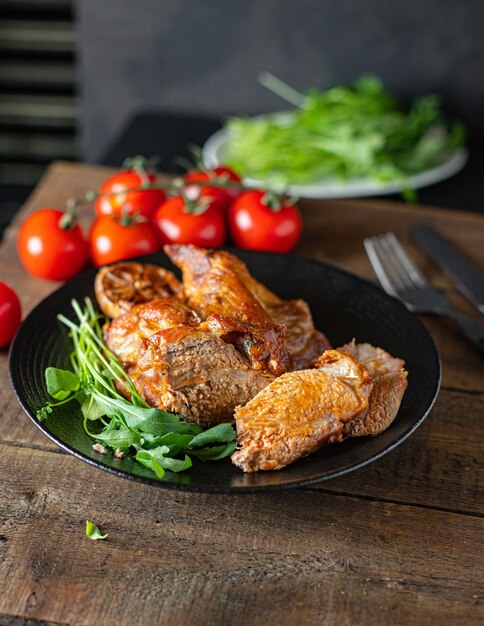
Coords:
204,57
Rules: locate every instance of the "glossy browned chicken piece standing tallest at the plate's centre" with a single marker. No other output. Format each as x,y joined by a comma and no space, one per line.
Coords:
213,285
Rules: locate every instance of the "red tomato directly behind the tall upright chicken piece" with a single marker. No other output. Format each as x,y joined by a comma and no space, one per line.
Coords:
181,221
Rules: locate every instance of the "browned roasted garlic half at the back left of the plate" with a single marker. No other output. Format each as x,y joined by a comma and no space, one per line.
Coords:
120,286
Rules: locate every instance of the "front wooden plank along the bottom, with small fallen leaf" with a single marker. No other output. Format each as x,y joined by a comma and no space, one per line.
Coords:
178,558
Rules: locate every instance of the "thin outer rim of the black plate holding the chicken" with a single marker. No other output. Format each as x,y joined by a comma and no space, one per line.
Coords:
13,358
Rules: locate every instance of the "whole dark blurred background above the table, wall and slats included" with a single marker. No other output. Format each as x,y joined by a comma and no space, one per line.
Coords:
78,78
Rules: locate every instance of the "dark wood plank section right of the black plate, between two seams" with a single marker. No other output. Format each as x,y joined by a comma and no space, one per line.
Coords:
440,465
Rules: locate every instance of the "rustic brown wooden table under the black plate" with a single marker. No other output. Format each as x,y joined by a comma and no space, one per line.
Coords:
397,542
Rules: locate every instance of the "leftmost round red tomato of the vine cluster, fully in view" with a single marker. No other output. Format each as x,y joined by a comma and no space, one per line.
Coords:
51,245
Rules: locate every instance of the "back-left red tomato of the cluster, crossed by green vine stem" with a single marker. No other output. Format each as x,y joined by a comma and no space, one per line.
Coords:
143,202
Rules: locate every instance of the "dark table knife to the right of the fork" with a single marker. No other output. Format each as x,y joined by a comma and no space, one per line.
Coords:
469,280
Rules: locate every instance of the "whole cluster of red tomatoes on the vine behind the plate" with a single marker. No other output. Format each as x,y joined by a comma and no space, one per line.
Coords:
135,214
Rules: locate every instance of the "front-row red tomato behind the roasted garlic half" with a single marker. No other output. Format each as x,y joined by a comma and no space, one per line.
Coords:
113,239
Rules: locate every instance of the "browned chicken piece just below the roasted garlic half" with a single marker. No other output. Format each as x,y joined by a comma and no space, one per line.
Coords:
122,335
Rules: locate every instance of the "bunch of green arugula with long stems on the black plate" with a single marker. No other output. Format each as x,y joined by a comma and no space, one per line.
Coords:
158,440
